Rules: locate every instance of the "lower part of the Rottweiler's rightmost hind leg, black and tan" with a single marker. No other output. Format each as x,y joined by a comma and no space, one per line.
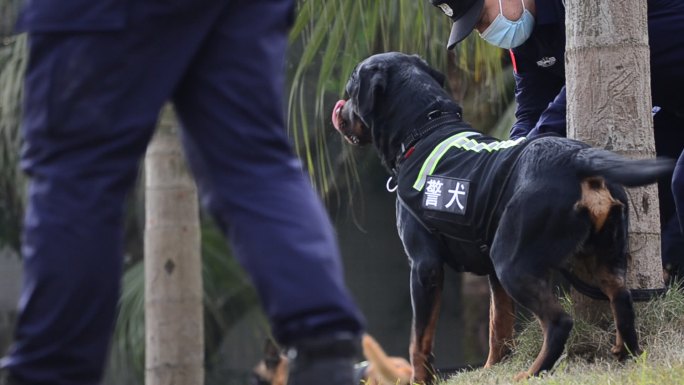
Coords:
613,286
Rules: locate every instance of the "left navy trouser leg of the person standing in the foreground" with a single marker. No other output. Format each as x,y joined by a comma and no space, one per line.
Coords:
92,101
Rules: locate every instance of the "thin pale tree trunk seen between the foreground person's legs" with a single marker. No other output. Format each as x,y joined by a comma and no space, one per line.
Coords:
174,327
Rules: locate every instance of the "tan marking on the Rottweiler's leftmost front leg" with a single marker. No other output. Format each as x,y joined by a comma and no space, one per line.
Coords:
421,346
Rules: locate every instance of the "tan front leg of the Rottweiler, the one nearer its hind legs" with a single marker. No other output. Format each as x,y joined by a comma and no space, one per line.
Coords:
501,321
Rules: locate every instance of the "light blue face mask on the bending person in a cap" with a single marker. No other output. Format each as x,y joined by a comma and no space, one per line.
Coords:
506,33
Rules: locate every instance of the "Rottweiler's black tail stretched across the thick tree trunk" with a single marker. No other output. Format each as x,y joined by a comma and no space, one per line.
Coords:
616,168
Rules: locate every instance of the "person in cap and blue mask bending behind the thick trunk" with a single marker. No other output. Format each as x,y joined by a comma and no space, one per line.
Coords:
534,31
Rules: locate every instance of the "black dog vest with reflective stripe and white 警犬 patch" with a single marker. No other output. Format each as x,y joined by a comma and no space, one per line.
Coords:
454,181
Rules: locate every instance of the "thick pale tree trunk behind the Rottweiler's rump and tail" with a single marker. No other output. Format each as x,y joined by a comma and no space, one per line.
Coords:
609,105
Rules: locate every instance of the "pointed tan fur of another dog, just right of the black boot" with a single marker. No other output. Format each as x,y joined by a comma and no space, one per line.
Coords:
386,370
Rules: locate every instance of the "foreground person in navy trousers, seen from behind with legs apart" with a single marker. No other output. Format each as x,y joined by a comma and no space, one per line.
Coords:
98,74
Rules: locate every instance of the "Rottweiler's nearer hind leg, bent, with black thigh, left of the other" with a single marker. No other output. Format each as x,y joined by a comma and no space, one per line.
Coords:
535,235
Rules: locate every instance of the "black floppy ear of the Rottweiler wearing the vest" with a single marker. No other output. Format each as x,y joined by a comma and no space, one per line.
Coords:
372,81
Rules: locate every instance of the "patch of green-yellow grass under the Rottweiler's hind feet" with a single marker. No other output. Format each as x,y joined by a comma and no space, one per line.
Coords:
587,359
